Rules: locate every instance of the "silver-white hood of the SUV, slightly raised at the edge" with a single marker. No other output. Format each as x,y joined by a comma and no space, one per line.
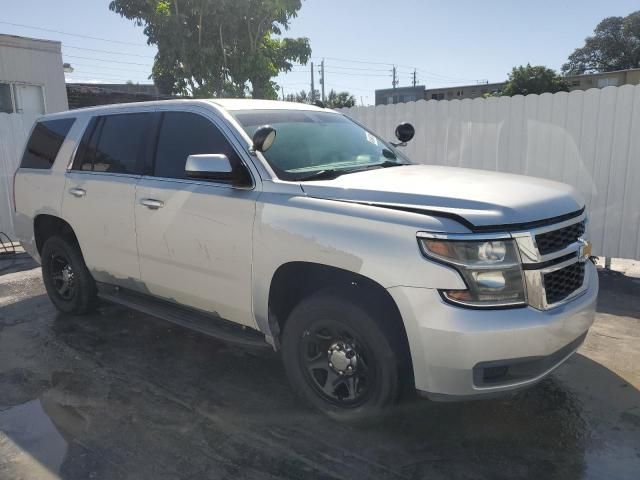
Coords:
480,199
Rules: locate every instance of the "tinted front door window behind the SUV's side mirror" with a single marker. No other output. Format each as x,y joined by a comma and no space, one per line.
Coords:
183,134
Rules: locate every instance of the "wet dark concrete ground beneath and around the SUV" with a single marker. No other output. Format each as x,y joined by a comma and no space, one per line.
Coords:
122,395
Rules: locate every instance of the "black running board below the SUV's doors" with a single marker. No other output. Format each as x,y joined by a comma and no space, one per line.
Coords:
199,321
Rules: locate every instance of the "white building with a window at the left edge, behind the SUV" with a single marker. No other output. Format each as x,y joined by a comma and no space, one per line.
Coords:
31,84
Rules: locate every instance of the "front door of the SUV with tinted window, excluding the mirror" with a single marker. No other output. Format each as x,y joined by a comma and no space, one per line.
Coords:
194,236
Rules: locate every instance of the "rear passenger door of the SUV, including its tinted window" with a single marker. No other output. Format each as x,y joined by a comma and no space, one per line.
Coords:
100,194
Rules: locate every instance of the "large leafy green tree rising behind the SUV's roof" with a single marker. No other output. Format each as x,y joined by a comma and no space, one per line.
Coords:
214,48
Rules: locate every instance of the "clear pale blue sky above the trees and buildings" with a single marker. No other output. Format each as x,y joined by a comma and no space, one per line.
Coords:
446,43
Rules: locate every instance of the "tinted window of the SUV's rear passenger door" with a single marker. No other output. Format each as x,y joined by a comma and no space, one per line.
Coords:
114,144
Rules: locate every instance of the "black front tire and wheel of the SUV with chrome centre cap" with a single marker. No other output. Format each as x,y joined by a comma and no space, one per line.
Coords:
321,337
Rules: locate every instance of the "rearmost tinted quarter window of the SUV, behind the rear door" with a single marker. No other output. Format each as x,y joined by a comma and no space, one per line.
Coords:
45,142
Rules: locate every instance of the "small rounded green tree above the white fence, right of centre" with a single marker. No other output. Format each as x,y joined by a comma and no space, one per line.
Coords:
524,80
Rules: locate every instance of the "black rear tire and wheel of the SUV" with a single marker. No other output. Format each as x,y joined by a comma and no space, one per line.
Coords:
69,284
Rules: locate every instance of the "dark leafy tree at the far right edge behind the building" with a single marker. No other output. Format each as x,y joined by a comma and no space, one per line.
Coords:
615,45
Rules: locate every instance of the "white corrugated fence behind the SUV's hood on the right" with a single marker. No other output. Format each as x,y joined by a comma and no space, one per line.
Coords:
589,139
